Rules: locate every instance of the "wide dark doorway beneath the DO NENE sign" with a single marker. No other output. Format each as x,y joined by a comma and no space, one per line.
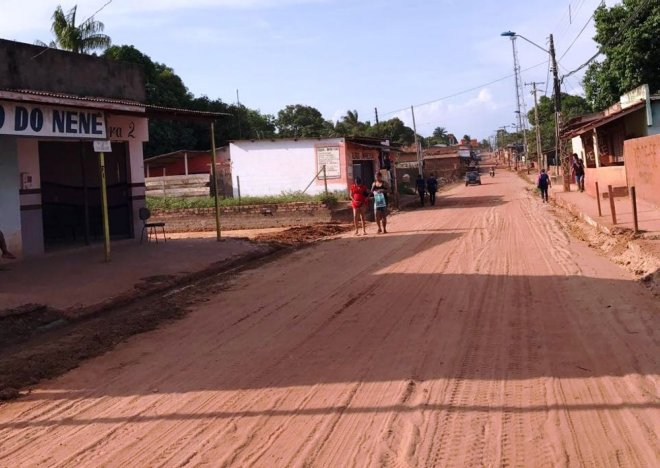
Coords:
71,193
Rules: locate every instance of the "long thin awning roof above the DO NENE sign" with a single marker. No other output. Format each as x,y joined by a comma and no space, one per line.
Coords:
108,105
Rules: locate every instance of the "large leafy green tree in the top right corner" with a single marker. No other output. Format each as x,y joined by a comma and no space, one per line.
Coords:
628,36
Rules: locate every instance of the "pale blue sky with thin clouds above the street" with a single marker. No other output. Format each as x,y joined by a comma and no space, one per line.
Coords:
441,56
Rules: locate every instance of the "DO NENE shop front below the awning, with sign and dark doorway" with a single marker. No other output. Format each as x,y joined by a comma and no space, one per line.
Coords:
50,175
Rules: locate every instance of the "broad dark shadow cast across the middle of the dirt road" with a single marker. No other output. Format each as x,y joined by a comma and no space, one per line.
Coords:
381,326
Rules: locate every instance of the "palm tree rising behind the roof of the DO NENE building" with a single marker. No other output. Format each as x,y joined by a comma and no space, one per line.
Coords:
81,39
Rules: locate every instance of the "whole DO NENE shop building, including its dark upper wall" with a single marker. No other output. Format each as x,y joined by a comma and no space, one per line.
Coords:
53,106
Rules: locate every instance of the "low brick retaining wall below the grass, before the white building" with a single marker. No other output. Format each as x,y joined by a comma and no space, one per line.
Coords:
251,216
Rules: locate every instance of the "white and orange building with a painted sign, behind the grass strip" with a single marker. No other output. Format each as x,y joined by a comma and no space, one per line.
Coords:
273,167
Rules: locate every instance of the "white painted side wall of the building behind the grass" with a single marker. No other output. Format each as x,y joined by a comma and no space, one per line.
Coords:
272,167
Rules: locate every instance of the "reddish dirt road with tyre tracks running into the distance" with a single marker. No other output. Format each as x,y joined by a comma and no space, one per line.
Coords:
476,333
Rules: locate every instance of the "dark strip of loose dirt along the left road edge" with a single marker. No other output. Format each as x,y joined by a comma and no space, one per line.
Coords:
37,343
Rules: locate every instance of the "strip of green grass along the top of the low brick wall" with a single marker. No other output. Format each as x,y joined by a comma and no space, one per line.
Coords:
175,203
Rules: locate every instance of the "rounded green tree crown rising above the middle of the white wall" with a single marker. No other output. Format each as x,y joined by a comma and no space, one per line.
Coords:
299,121
